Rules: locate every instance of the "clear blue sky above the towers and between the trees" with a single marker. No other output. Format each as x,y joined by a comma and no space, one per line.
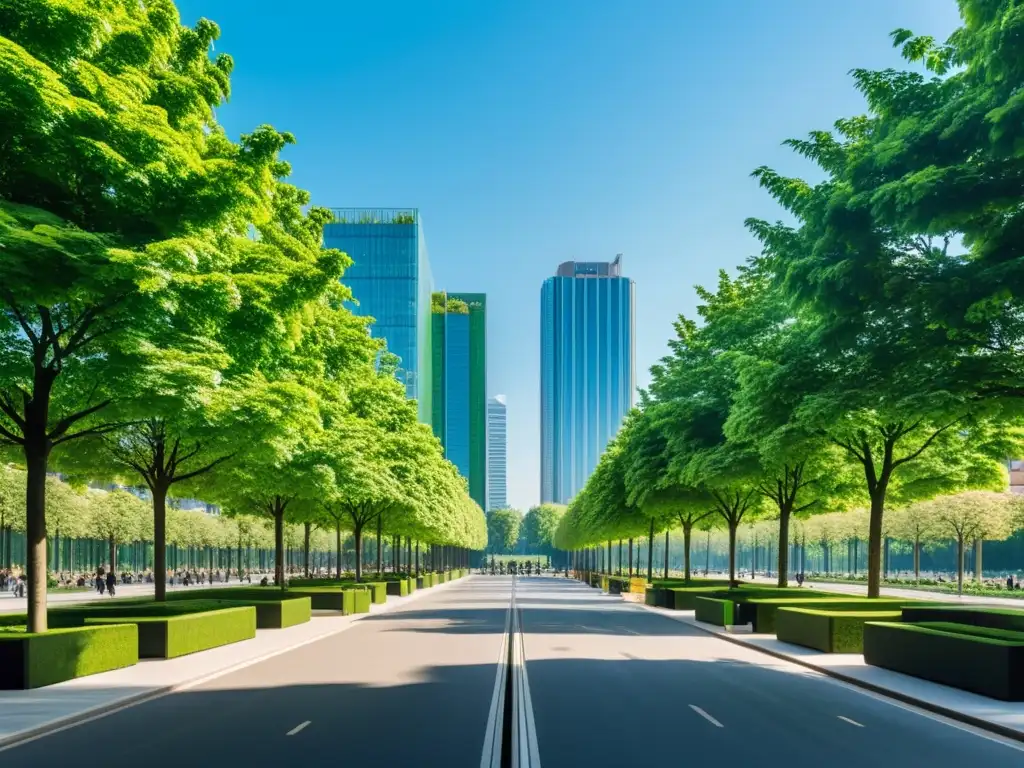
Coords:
531,133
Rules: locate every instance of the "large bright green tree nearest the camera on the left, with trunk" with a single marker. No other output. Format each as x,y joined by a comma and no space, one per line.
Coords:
105,244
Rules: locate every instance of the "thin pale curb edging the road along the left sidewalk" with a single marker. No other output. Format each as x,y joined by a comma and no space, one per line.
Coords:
135,700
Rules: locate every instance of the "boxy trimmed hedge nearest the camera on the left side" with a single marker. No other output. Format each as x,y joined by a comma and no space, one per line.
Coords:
32,661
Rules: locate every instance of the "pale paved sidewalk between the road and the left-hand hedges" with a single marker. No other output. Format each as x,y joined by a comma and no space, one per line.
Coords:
25,714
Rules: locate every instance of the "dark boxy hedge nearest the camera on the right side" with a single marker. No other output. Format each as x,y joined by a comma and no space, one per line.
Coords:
989,666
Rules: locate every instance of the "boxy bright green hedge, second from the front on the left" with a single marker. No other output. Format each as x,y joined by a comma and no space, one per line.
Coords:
174,636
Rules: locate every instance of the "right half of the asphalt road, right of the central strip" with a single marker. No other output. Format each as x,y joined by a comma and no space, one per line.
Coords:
615,686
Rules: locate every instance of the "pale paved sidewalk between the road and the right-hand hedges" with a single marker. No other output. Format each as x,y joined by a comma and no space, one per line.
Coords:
1005,718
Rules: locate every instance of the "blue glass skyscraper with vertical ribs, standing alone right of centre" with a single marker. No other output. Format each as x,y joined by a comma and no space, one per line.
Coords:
588,370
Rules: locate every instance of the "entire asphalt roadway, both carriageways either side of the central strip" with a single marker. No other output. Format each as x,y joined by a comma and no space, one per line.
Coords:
611,684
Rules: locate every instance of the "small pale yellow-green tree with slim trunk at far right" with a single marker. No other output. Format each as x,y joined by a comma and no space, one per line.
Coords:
973,516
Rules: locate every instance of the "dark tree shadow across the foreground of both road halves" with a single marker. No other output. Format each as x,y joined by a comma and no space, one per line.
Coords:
589,712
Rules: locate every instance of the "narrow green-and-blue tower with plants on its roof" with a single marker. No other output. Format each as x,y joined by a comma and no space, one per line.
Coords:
459,385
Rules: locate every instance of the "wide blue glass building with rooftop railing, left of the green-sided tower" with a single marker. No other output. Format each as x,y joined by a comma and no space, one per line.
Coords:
391,282
